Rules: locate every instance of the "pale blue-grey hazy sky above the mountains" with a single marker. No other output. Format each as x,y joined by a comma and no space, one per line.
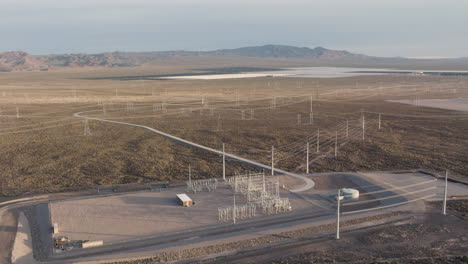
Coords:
412,28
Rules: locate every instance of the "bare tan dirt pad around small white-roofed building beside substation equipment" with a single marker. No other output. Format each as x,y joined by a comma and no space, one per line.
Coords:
132,215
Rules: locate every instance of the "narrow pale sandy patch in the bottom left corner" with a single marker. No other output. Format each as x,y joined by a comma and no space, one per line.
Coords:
22,248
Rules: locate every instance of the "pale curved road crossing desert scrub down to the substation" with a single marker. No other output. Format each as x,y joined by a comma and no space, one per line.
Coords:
308,183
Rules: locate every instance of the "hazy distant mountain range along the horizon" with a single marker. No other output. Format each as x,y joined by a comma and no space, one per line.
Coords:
22,61
